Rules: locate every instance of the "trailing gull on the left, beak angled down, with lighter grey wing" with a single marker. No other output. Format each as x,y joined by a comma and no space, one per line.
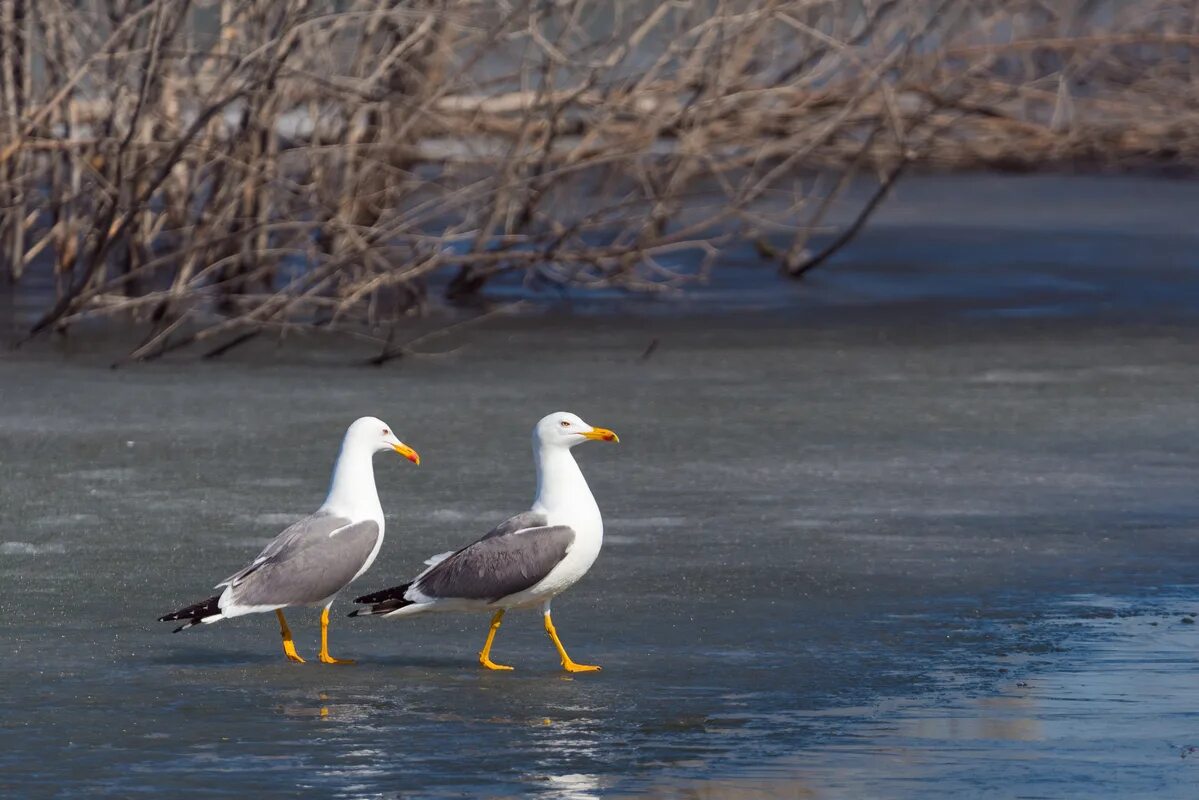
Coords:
320,556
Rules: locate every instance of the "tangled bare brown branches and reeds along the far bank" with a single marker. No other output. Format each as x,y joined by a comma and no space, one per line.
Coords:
218,171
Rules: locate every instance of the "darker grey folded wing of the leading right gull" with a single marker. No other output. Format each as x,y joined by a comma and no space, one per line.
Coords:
498,566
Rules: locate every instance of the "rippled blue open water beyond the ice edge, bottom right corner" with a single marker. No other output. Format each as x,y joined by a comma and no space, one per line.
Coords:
1095,713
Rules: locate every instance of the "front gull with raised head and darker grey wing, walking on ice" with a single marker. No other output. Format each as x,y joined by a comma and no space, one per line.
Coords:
525,562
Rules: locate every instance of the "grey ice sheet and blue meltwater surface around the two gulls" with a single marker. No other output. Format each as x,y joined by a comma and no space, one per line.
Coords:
918,554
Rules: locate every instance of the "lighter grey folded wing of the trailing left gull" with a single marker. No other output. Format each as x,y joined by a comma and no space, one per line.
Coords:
310,570
